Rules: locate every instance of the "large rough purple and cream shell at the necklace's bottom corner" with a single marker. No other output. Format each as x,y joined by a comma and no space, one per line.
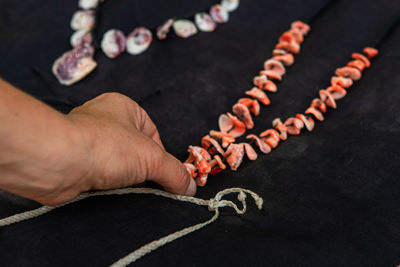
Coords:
74,65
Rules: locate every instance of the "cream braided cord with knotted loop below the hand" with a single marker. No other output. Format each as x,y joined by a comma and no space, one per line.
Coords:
213,205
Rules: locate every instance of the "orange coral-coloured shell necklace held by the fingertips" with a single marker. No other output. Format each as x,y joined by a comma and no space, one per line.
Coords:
207,159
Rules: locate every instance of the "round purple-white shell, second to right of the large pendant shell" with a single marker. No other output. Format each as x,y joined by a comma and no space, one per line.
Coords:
138,41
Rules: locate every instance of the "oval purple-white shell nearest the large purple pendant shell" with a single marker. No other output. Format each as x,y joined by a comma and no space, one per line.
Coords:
113,43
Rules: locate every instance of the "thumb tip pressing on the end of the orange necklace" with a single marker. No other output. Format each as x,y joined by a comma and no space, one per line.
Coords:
172,175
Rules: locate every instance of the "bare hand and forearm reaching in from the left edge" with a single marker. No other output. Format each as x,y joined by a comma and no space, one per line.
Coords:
109,142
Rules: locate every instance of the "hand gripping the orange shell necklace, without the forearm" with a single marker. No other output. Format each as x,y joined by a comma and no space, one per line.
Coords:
125,147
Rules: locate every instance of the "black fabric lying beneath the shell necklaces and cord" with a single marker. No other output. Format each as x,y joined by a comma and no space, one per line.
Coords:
331,195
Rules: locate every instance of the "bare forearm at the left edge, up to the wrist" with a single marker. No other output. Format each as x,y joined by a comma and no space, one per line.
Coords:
37,144
